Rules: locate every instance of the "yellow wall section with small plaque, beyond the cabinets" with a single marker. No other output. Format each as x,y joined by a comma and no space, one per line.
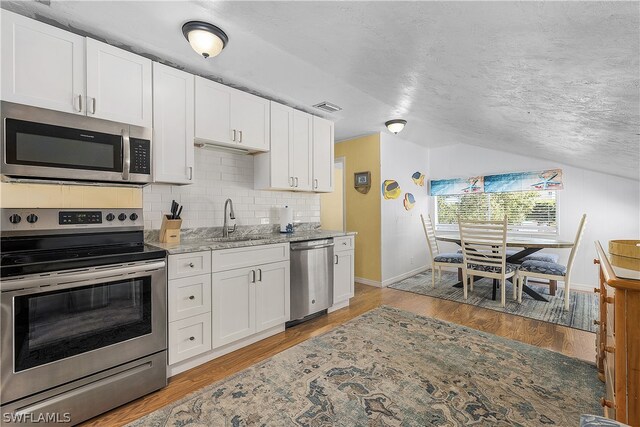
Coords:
363,210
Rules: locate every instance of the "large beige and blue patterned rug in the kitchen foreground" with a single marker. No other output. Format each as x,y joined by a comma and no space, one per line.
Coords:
392,368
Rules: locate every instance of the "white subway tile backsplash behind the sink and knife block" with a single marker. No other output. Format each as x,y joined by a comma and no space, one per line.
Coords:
220,175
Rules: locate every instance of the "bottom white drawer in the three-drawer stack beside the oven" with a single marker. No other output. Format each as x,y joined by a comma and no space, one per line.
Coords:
189,337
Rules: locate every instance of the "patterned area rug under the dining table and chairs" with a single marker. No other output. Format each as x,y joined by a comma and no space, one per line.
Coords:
583,306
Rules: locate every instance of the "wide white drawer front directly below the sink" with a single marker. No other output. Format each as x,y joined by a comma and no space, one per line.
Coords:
229,259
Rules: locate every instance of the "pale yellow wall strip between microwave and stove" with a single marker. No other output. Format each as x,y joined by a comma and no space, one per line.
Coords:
21,195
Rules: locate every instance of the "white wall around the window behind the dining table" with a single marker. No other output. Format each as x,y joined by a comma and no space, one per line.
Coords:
612,204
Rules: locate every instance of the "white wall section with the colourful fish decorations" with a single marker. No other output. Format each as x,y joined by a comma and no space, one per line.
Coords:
404,247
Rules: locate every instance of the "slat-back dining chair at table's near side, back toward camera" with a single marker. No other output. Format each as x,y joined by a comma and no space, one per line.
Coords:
484,250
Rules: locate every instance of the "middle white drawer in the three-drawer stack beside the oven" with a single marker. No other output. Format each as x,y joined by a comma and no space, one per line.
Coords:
189,297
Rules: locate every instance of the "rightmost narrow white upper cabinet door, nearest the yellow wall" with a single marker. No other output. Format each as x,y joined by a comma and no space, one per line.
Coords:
322,155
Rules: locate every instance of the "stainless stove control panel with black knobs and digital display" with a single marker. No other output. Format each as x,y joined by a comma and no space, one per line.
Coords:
14,221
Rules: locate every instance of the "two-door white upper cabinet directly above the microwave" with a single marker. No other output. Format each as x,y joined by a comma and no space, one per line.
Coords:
51,68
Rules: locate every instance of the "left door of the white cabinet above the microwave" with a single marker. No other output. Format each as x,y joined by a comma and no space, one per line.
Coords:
42,65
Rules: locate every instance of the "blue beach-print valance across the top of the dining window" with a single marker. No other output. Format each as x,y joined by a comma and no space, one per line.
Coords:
519,181
